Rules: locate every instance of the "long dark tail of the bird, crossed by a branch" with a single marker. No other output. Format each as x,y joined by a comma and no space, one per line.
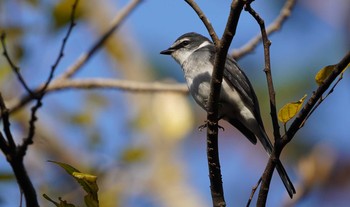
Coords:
265,141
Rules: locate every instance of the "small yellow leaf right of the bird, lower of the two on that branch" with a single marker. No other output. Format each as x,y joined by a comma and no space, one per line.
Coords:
289,110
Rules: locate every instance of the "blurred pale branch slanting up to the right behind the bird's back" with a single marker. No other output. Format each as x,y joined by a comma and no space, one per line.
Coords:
273,27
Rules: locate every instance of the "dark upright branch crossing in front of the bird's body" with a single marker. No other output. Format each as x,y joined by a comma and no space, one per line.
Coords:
212,116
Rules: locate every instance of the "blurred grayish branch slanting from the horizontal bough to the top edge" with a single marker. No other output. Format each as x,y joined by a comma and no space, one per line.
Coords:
116,22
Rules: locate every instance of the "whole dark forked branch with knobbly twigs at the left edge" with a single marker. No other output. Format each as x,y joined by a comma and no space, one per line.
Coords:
15,154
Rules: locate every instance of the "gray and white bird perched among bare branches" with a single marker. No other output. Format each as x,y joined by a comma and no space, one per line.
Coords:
238,103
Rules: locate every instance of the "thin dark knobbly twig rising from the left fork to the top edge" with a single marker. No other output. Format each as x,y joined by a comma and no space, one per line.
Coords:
29,139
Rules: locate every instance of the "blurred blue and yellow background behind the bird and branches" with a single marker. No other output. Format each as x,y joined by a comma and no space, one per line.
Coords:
145,147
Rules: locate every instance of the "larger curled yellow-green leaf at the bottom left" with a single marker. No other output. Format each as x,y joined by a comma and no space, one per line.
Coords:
87,181
